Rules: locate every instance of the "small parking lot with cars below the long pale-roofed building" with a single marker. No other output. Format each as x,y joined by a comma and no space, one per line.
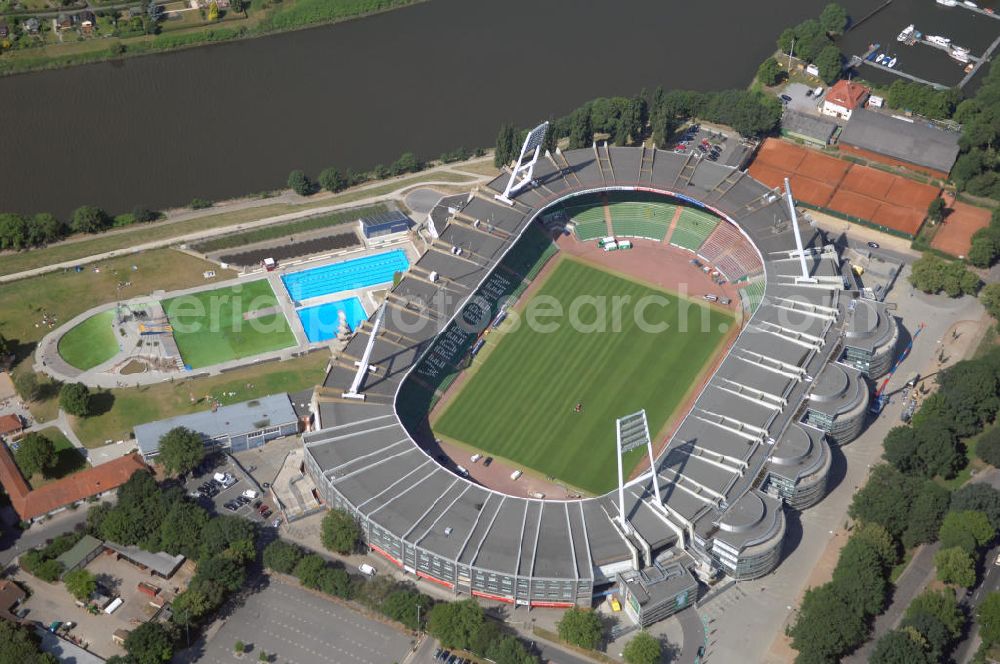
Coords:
228,497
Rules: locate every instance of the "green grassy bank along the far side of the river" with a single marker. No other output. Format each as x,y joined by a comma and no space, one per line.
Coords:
187,29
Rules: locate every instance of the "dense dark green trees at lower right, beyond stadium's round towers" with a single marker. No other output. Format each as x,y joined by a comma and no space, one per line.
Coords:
901,506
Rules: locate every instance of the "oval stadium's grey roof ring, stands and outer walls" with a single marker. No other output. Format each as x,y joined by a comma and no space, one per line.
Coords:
756,441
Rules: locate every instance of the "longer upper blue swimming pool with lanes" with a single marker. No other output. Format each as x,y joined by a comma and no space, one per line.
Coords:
356,273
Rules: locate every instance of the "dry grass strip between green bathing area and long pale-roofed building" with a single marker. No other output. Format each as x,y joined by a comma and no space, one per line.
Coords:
137,405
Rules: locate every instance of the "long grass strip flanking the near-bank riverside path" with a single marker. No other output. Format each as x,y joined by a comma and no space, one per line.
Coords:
81,248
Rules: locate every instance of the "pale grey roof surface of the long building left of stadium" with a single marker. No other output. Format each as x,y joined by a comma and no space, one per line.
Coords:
226,421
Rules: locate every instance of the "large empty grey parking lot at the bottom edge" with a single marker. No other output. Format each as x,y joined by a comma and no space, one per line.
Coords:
298,627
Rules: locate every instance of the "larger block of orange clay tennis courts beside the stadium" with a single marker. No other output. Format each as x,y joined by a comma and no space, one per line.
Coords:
893,203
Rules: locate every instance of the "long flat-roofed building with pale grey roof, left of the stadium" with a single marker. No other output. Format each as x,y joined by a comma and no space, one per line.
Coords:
237,427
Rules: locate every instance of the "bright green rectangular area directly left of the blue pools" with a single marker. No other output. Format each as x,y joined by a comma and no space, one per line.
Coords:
209,327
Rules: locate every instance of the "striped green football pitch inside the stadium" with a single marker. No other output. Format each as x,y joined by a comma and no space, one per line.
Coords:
520,403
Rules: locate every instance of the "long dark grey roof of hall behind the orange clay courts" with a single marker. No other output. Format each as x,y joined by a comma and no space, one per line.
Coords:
915,141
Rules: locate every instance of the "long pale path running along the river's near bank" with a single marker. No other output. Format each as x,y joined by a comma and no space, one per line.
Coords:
196,236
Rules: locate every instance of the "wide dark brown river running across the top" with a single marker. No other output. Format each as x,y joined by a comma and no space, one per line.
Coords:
226,120
